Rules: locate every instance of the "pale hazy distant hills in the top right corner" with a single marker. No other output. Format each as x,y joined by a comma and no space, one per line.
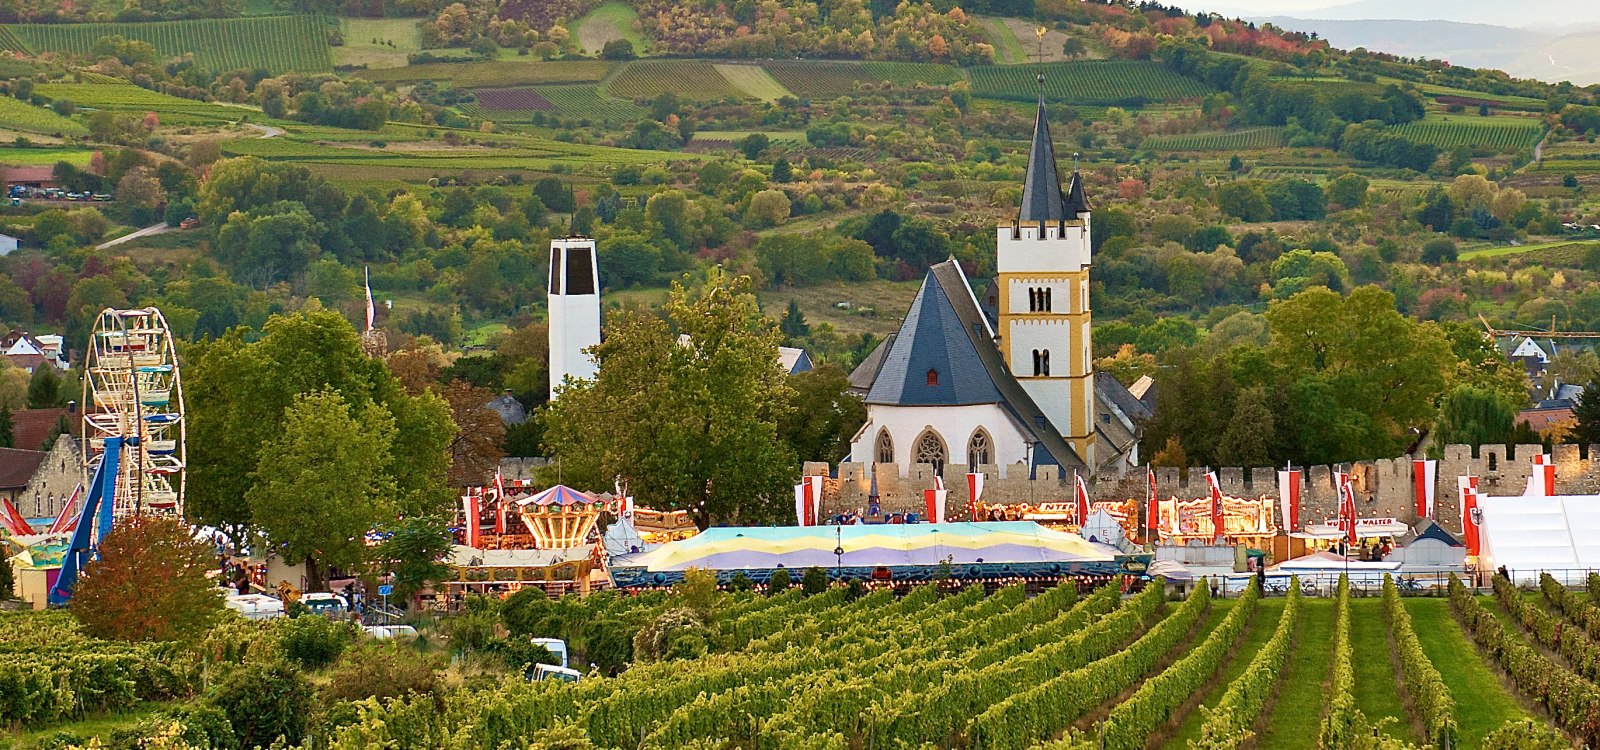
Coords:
1524,54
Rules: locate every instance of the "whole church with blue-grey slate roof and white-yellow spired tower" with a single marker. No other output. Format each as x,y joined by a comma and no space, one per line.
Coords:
1010,378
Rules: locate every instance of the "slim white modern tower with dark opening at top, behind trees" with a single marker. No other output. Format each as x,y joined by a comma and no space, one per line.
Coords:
575,309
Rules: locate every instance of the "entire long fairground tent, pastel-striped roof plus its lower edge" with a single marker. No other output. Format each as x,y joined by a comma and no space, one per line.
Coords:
986,551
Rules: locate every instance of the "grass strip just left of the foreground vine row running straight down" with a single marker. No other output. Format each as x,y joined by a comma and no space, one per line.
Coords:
1297,711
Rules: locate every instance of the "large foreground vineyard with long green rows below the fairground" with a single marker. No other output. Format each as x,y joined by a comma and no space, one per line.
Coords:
1009,671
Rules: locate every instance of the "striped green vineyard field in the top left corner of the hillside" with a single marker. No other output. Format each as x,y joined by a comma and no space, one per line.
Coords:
278,44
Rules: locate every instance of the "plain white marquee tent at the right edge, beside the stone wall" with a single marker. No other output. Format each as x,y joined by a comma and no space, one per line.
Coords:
1530,535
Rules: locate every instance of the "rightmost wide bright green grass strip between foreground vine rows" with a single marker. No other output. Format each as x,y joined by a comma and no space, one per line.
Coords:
1474,684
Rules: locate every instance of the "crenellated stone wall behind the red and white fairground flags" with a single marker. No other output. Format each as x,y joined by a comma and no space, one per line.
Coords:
1383,489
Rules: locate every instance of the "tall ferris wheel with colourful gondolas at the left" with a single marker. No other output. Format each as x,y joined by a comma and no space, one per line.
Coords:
132,393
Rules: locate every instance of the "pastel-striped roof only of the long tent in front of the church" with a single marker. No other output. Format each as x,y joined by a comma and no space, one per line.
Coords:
918,545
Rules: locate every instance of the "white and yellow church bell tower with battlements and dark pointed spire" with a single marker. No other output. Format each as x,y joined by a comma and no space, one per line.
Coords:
1042,265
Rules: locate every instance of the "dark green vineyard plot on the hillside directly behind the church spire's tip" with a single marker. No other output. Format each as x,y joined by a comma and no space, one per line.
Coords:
1094,82
